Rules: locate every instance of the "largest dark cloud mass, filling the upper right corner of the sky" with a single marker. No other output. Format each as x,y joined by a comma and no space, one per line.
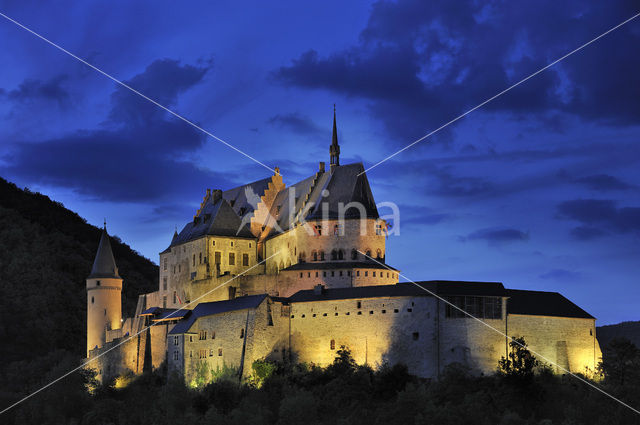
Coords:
423,63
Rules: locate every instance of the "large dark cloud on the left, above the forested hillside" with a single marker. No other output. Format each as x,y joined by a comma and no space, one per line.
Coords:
136,157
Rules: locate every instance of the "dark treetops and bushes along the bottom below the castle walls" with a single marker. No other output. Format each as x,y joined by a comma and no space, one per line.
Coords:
341,393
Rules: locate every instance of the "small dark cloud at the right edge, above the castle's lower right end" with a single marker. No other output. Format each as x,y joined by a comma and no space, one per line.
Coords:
600,215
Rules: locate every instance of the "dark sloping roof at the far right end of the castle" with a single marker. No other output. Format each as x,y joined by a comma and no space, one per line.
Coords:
538,303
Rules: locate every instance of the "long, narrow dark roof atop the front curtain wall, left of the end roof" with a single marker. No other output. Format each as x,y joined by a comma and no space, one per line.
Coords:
404,289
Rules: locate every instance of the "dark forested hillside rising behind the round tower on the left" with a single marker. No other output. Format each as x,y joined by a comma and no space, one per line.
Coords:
46,253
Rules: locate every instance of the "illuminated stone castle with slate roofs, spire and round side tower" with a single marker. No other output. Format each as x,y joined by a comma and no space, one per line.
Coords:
291,274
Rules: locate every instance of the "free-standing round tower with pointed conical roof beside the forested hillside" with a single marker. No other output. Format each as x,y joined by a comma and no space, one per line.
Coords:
104,295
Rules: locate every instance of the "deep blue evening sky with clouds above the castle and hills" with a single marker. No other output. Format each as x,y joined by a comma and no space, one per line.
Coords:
538,189
